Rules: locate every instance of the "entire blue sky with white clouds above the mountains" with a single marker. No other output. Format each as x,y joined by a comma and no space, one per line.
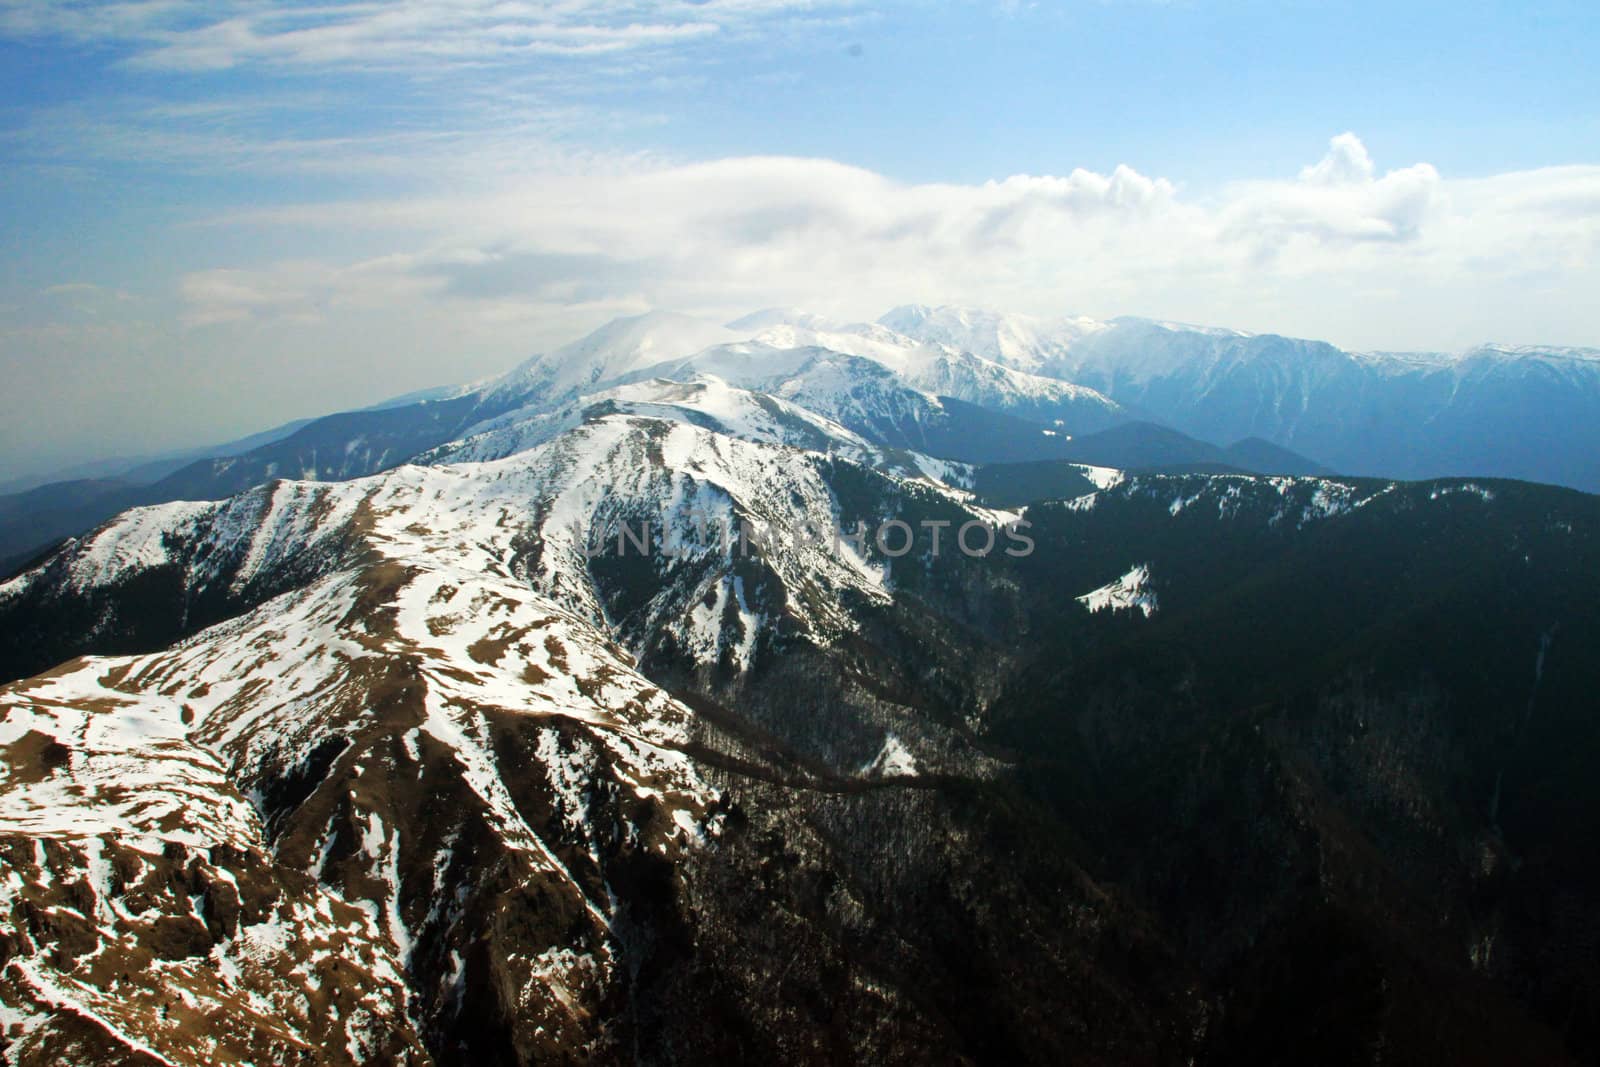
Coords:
223,215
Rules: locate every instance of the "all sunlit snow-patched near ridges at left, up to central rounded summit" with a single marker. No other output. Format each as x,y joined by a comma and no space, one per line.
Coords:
430,713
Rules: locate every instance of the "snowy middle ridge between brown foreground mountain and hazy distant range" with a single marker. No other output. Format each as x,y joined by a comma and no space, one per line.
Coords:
561,497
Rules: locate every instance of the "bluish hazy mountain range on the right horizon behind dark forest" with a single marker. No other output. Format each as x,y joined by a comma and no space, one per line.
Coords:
1492,412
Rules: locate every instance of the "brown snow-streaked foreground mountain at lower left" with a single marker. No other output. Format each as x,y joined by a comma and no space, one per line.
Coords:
295,833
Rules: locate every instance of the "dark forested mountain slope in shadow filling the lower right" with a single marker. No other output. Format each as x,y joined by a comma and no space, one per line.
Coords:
1326,745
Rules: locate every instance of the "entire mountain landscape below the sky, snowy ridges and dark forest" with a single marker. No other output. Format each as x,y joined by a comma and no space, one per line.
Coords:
802,692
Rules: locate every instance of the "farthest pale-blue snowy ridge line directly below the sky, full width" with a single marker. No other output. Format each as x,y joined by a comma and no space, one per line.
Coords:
1494,410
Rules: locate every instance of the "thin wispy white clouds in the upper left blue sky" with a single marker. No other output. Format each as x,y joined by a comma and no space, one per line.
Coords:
455,90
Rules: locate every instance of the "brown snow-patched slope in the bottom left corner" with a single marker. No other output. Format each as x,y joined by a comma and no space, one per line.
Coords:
146,919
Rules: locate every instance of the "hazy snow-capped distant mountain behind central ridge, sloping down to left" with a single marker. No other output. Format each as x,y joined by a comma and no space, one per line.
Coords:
356,444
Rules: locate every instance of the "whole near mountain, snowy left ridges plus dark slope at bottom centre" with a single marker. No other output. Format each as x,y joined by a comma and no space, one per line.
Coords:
414,690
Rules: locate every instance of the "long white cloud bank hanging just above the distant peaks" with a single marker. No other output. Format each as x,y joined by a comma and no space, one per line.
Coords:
724,236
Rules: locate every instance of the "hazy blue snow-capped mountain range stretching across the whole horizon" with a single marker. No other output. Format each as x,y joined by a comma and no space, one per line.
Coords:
961,385
